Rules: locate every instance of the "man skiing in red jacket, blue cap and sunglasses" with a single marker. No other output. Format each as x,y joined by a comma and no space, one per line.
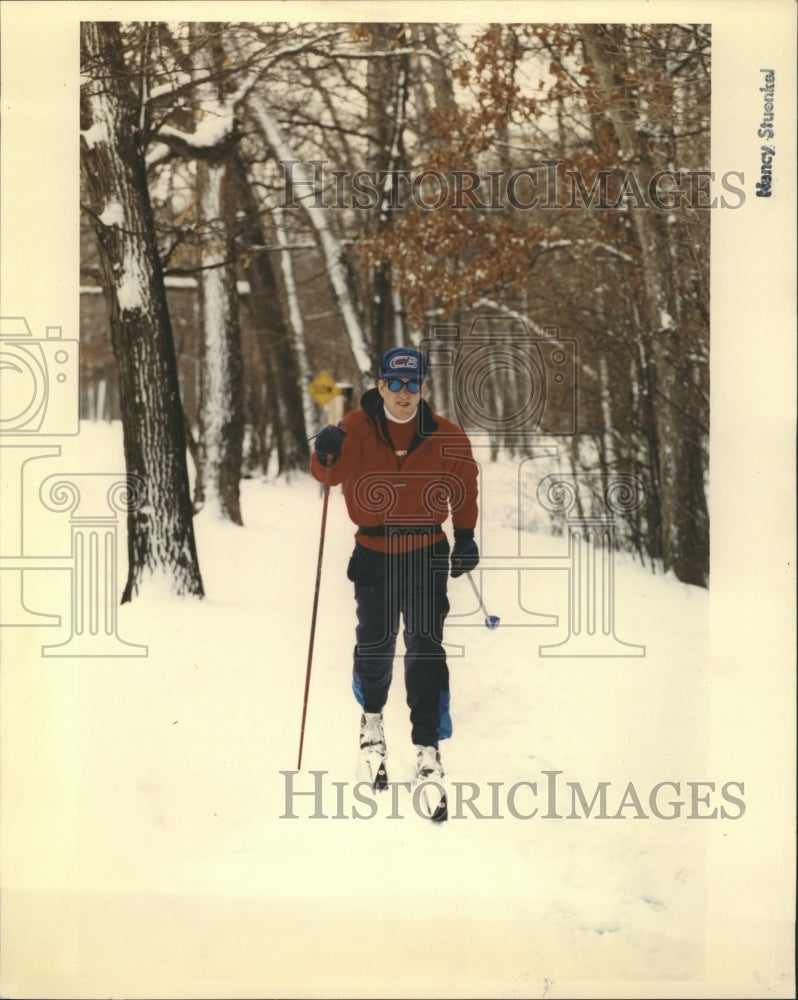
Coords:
404,470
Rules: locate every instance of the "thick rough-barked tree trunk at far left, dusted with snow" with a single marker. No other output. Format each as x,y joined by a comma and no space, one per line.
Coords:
160,532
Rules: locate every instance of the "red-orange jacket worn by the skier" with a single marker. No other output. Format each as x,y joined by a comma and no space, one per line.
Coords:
437,477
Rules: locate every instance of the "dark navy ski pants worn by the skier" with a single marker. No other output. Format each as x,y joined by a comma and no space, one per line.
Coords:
410,585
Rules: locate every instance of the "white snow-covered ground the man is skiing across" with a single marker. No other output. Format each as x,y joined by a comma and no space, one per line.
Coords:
182,827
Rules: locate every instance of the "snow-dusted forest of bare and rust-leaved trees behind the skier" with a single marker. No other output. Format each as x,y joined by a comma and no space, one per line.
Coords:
263,202
